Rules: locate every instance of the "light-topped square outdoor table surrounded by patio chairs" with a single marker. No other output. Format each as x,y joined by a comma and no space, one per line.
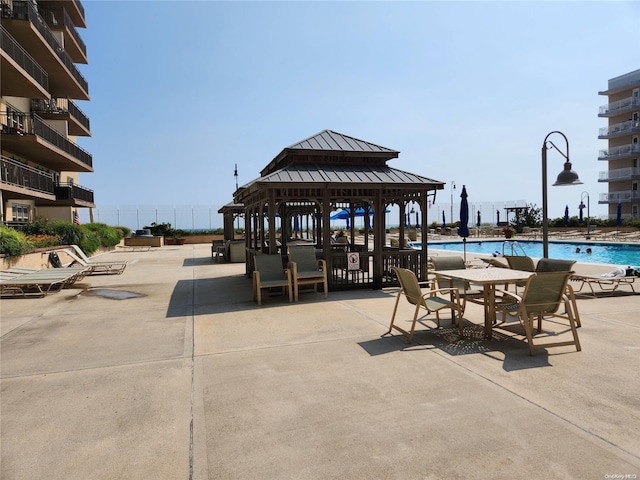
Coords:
488,278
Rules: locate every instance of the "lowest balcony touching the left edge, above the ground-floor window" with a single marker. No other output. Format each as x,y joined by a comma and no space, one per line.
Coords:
22,181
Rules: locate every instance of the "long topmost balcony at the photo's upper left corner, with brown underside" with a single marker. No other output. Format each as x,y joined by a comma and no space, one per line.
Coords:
28,28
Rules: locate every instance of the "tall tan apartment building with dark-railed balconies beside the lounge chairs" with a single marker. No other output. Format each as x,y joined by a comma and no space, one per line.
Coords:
40,82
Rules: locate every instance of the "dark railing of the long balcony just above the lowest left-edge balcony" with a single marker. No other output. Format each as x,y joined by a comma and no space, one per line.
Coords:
24,124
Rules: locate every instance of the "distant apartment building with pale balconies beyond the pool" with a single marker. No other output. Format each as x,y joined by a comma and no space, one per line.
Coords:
623,151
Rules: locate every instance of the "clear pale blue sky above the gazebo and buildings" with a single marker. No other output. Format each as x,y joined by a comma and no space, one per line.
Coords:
182,91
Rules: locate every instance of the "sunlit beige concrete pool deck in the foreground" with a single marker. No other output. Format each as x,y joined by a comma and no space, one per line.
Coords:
172,371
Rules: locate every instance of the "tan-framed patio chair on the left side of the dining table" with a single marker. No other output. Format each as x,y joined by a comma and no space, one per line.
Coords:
431,300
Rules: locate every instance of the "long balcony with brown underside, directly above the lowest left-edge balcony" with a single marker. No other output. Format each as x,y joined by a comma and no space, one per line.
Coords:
31,137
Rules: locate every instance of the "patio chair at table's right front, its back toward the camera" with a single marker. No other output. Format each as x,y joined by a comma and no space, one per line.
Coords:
543,296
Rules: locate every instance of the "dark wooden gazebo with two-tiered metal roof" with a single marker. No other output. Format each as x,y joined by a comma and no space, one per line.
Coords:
320,175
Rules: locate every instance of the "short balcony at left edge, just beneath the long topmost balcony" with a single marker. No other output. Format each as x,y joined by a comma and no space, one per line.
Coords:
21,74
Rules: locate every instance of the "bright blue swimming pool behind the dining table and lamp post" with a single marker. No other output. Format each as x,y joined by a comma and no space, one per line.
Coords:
622,254
